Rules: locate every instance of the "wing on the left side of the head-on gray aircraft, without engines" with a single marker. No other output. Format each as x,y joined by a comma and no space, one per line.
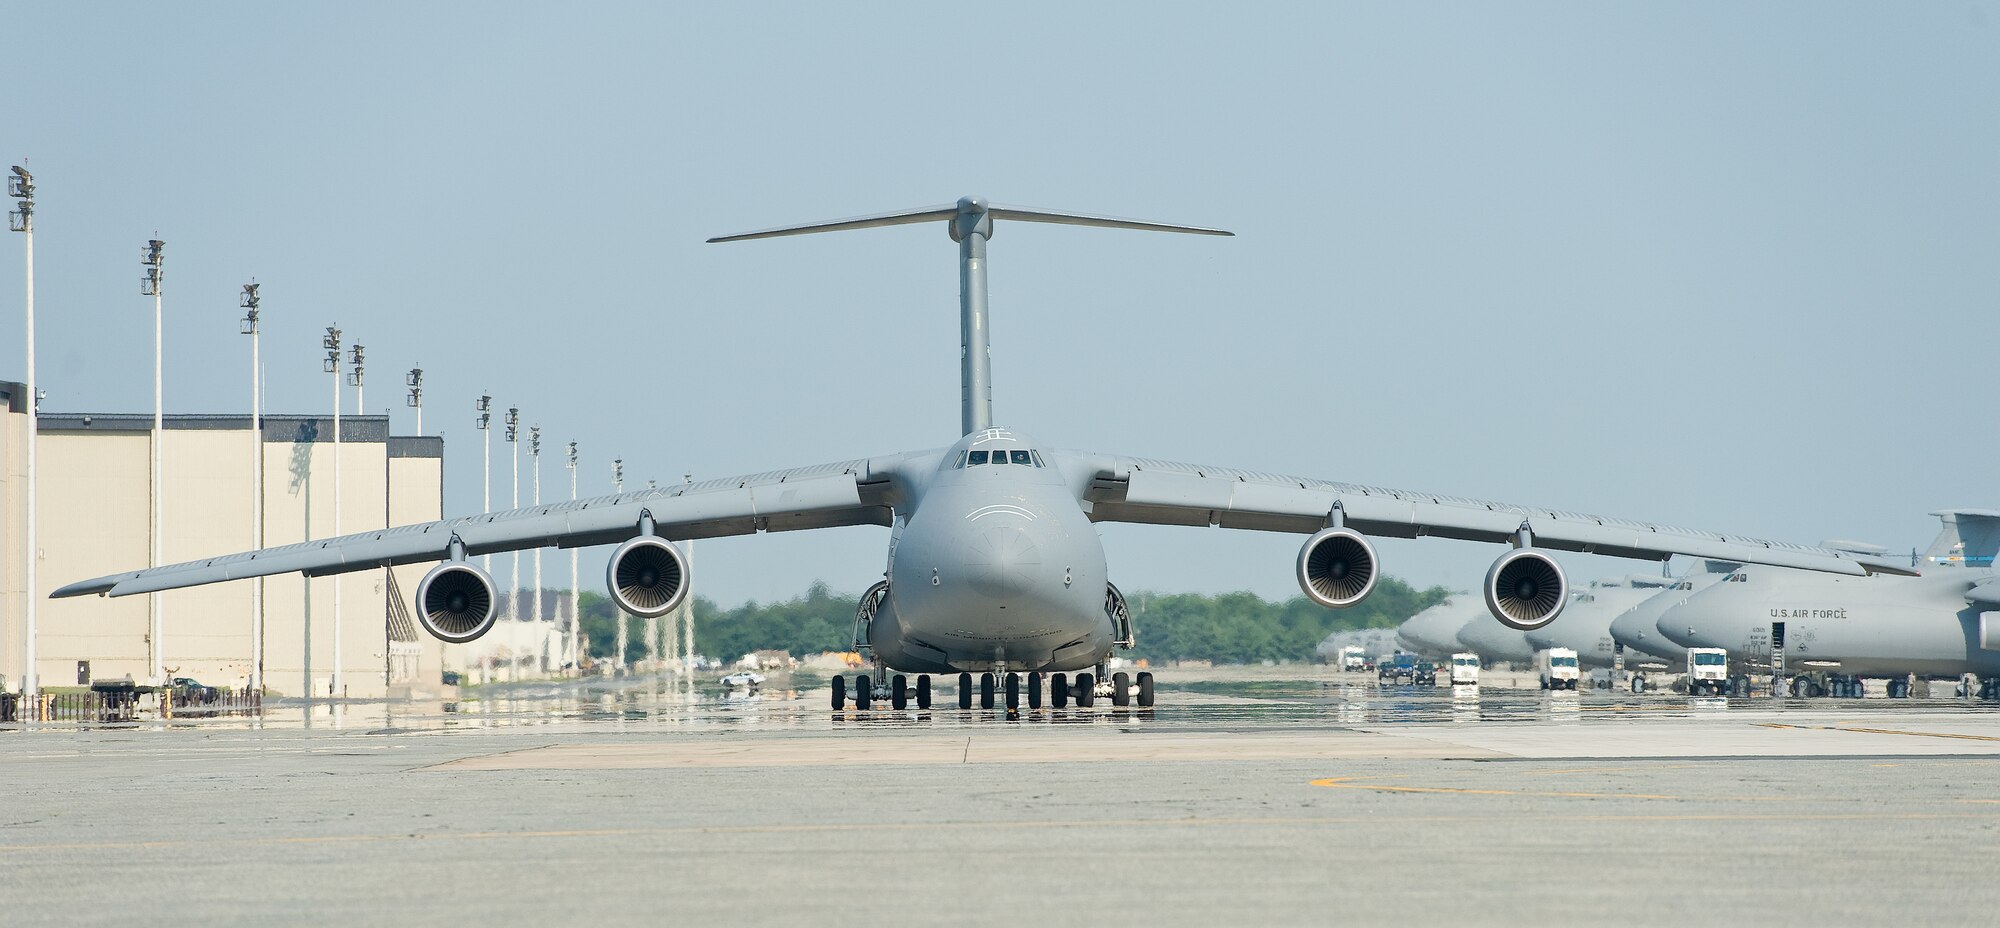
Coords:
857,493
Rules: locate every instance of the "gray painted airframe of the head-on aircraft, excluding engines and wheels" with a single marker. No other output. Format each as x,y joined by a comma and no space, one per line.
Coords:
989,565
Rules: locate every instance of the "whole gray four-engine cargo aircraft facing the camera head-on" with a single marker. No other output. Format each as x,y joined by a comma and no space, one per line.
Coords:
993,561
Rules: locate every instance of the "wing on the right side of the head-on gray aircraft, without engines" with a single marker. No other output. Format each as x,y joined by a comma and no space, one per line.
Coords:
1189,495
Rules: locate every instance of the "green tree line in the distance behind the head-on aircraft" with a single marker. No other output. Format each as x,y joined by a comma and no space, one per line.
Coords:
1229,629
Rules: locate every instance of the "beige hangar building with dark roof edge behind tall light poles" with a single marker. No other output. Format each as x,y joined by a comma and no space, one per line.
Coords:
97,519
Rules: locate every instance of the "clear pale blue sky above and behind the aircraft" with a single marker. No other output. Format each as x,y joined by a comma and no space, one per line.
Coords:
1719,265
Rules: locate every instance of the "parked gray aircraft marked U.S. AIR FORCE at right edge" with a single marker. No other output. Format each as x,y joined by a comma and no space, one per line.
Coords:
1945,623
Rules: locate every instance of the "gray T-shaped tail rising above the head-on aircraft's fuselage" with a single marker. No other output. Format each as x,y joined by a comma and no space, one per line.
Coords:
971,223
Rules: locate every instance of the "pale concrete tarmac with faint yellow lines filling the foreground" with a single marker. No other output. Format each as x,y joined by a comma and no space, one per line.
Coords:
1277,797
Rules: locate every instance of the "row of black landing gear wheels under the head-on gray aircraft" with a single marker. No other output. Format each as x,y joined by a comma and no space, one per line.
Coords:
999,691
